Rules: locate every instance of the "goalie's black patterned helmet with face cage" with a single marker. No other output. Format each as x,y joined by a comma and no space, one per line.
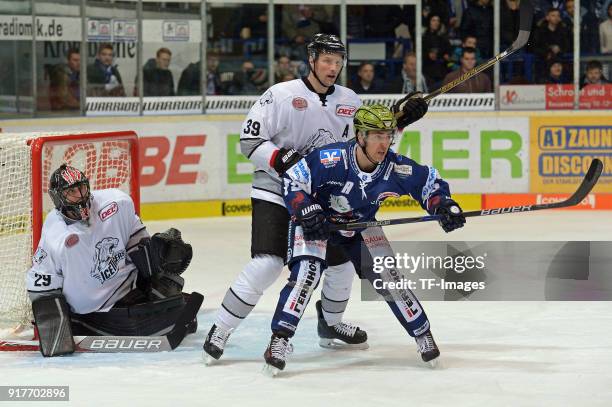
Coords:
64,178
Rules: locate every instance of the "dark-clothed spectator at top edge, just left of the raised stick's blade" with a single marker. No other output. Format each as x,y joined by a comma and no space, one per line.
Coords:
477,20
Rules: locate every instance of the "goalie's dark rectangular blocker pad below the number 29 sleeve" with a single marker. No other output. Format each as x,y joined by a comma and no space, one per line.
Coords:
52,316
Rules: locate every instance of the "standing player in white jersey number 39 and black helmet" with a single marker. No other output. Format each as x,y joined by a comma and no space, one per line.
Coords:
287,122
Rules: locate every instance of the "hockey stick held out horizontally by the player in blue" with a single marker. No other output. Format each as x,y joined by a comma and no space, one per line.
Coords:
587,184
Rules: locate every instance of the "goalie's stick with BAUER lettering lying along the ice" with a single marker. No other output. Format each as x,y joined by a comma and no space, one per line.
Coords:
125,344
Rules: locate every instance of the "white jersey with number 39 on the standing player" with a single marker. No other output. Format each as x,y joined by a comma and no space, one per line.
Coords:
292,115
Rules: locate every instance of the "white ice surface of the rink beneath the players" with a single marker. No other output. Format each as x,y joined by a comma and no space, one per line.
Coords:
493,353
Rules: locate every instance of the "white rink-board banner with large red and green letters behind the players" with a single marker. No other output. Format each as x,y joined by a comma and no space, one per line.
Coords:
194,159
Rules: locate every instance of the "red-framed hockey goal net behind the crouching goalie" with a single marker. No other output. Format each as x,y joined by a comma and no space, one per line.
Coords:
27,160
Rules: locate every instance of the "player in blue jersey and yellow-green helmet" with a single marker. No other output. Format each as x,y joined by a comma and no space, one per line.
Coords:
347,182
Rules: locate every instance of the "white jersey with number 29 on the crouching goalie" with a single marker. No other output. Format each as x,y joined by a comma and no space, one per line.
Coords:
89,264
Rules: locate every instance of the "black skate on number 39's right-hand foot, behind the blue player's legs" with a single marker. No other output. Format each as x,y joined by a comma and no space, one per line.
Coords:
340,336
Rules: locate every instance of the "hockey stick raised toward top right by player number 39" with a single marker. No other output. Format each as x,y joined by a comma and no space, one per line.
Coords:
525,18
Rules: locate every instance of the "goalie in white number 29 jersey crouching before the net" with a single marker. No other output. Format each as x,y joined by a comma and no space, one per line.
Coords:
95,260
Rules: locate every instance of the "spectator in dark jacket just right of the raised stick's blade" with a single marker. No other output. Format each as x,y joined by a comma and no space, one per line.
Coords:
551,38
